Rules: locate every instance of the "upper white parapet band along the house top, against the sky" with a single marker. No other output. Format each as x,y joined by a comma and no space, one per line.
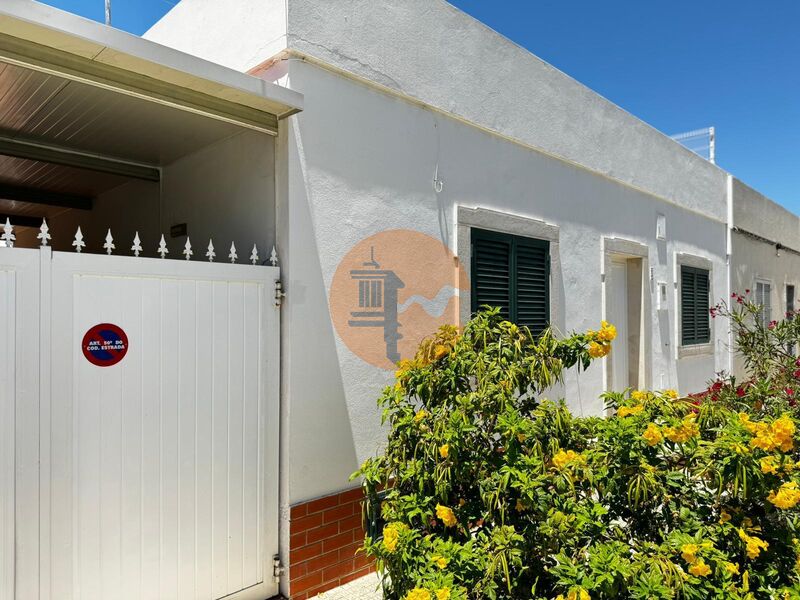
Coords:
431,52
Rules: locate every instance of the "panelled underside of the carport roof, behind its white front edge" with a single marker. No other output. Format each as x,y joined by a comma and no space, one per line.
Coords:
64,142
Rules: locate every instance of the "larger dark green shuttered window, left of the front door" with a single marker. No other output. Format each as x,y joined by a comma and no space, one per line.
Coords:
512,273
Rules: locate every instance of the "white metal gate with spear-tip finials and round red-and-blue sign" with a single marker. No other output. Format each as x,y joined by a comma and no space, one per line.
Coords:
139,425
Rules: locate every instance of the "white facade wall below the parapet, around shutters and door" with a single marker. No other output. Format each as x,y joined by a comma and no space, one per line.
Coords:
361,161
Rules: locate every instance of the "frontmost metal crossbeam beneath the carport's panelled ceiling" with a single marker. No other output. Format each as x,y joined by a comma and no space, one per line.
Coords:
60,155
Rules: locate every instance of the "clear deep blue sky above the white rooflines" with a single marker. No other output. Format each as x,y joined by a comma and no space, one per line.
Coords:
678,65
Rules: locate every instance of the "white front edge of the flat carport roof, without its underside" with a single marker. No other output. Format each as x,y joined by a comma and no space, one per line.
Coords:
43,38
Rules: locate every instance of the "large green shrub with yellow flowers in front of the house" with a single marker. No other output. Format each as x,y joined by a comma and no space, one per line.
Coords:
491,492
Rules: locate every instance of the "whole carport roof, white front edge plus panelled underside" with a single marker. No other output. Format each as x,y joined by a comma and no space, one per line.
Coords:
85,108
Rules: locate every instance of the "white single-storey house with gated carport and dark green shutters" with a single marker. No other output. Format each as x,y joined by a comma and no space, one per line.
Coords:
408,164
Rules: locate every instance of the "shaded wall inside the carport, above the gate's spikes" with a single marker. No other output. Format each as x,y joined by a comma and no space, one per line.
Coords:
224,192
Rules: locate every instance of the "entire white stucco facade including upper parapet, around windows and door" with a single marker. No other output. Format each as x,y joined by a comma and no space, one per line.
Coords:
408,84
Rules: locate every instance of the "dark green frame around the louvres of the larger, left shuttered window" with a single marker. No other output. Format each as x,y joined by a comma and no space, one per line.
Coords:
515,241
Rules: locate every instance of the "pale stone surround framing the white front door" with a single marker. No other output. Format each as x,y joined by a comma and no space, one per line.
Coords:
616,249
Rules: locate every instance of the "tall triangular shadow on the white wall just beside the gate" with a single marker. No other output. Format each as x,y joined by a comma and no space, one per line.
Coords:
322,453
